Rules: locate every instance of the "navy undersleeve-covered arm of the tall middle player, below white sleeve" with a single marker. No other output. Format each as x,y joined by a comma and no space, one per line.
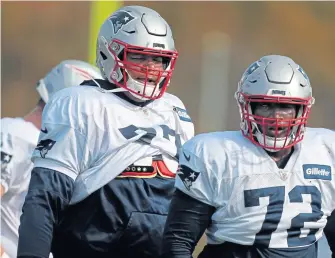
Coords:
48,195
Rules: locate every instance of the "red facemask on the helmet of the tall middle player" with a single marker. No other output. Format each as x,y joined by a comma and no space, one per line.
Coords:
146,88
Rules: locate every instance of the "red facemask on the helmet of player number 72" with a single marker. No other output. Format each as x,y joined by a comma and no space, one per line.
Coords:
254,127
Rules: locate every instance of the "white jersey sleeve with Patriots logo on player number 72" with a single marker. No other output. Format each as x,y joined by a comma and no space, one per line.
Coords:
194,176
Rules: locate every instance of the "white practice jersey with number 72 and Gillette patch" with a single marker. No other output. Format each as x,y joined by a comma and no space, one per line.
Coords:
255,201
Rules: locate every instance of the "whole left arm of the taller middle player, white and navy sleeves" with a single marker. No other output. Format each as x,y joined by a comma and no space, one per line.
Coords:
58,159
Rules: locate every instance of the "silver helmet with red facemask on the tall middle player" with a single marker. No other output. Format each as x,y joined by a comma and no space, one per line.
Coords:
136,30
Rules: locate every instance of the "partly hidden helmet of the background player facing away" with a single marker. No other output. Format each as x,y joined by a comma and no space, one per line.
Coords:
66,74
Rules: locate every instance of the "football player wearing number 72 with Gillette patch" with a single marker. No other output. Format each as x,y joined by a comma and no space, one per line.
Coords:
264,191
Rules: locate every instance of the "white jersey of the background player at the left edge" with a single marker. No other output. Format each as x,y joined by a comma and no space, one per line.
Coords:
18,140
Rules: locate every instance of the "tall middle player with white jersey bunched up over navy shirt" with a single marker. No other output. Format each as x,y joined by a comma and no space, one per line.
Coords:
105,164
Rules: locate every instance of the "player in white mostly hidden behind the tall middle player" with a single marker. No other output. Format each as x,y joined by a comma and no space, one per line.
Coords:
19,137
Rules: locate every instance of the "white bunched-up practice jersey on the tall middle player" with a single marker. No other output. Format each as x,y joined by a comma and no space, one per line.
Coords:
92,136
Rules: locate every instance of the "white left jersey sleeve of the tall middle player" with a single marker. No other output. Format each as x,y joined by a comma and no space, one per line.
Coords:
63,140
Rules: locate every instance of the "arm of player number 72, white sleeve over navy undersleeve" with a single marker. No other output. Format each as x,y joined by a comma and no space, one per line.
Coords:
191,208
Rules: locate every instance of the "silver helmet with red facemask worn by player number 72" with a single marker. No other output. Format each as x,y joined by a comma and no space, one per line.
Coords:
275,79
